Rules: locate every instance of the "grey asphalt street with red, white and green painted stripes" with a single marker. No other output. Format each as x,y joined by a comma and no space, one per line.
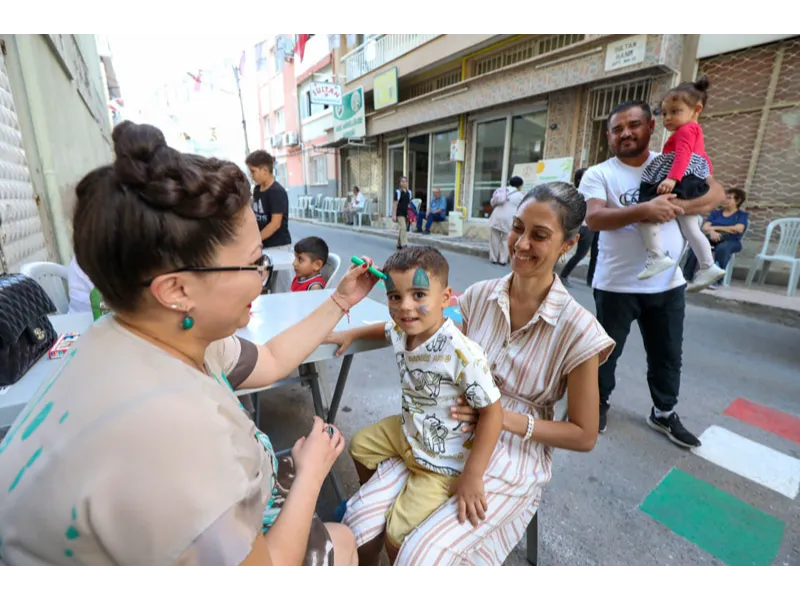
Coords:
636,499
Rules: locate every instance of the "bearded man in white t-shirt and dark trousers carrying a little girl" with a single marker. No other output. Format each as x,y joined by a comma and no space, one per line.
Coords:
658,304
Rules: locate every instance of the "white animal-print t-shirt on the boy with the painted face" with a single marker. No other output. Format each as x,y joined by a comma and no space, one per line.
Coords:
433,376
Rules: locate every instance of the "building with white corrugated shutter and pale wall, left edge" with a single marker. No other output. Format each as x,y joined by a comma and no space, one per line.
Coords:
54,128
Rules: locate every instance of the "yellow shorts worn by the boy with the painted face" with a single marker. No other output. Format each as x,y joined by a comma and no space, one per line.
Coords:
424,491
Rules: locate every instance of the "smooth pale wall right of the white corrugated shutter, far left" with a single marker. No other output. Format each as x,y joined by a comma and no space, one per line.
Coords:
58,90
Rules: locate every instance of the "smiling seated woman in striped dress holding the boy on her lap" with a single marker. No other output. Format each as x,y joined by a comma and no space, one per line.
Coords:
541,343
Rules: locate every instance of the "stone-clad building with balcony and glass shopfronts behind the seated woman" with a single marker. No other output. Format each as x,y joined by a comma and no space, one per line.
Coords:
463,112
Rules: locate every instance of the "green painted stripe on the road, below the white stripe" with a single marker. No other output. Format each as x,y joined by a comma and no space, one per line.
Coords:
722,525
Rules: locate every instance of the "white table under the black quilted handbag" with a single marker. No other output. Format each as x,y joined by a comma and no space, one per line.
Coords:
13,398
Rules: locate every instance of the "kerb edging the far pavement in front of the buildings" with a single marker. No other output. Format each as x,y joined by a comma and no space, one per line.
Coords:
771,314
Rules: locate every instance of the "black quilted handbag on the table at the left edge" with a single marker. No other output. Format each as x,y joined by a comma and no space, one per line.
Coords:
26,334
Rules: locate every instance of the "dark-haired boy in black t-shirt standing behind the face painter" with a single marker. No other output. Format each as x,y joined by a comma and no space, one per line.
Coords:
271,205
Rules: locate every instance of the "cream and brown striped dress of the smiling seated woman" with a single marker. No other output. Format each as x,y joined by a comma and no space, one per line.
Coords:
530,366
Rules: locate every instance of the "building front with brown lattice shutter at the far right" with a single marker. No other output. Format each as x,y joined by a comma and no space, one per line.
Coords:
752,121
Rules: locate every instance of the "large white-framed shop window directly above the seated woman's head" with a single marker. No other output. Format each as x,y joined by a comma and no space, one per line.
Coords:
500,145
